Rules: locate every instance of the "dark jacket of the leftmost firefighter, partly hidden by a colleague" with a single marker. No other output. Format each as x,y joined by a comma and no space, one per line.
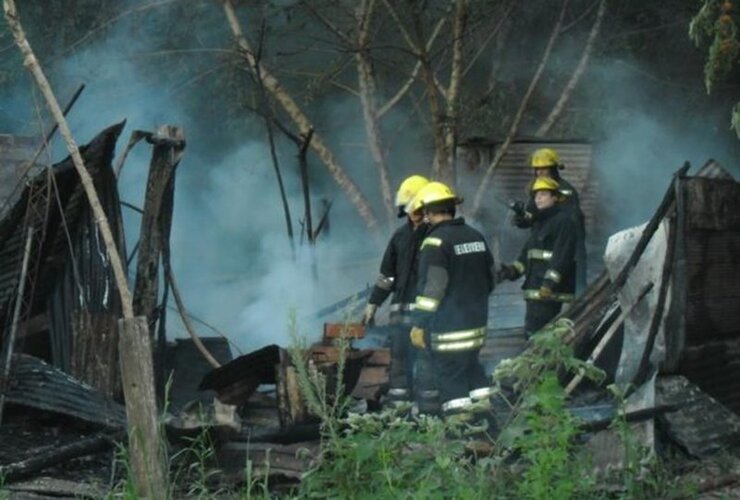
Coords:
399,268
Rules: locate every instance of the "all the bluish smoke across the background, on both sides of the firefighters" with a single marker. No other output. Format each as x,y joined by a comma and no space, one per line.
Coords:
231,254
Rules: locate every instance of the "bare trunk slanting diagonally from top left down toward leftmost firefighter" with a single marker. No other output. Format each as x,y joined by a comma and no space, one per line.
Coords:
301,121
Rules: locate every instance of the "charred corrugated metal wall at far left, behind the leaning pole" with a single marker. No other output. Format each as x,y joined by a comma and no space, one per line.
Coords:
69,278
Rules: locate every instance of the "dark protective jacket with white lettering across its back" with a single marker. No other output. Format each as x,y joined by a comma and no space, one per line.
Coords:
455,279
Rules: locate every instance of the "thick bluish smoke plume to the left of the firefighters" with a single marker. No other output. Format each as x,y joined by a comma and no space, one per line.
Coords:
230,250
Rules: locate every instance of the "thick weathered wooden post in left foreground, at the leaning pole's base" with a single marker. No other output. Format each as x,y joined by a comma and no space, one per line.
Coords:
146,448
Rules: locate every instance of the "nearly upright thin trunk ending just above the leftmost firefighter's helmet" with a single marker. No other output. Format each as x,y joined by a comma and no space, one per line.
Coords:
368,94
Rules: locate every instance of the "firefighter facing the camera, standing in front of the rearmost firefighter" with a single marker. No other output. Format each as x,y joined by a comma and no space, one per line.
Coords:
548,258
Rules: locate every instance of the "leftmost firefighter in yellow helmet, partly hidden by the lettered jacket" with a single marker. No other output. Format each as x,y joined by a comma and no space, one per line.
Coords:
398,276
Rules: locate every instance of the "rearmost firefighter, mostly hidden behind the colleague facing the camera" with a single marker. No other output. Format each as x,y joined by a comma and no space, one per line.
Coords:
546,164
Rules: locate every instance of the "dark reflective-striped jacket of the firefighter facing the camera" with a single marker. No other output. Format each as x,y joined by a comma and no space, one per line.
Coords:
549,256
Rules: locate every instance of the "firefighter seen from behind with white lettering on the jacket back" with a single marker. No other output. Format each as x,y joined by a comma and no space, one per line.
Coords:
451,308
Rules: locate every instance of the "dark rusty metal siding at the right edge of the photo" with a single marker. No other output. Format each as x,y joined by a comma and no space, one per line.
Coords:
711,235
